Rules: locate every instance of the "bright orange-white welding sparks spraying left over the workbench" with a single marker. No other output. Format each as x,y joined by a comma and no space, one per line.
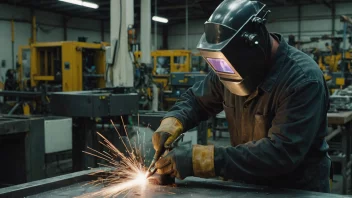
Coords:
123,176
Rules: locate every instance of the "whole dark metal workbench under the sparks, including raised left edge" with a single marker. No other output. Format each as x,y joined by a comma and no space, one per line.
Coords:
71,185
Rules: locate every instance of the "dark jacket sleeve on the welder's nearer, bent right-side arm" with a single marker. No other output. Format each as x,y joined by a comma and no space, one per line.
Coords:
299,116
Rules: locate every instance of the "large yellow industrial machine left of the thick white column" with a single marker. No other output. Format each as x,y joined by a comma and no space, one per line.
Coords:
52,67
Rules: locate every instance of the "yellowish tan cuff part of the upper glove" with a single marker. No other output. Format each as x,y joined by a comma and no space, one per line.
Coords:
171,125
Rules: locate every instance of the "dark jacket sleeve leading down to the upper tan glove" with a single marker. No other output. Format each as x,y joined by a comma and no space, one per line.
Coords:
201,101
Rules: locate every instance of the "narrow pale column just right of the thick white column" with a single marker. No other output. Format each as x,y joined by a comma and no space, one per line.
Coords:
146,24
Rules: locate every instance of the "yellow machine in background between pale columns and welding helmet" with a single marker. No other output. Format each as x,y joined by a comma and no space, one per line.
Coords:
173,72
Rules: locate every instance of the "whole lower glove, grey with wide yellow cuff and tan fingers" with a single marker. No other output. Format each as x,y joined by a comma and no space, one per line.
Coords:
184,161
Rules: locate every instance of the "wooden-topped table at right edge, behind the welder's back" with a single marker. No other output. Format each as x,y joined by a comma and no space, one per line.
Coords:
343,122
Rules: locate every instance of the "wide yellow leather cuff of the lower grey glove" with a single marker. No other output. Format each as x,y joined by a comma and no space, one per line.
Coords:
203,161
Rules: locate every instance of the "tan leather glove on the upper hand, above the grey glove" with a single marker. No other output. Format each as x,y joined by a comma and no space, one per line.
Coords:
169,129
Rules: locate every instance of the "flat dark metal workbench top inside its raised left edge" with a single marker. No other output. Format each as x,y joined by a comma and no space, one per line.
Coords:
193,187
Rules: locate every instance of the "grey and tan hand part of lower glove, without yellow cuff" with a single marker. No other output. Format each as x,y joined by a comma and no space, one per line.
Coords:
177,163
